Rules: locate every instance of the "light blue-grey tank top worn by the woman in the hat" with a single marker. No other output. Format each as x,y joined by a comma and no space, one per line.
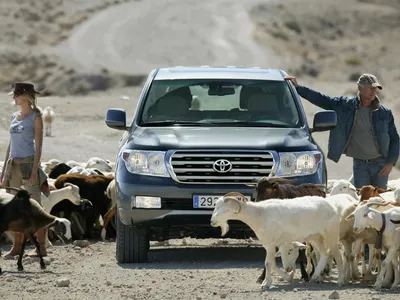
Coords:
22,136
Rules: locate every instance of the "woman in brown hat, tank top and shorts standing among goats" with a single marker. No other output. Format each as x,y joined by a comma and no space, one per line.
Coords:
22,162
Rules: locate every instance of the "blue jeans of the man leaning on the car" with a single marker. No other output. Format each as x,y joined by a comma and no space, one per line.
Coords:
366,173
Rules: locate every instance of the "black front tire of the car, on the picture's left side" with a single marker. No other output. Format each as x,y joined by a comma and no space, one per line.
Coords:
132,243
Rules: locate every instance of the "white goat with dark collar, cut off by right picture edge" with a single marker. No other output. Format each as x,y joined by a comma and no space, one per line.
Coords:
367,217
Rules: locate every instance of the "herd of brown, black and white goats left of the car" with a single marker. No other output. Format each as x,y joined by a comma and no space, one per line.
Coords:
81,196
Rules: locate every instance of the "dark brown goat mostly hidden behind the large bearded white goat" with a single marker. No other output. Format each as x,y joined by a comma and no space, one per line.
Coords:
281,188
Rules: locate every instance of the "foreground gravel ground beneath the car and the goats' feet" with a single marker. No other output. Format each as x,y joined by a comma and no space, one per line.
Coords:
180,269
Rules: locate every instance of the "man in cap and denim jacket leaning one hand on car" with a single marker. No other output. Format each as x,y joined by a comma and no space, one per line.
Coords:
365,130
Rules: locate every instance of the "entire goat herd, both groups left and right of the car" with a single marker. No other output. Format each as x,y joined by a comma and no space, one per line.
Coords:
316,224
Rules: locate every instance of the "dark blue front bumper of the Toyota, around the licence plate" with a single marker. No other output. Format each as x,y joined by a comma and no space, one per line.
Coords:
176,198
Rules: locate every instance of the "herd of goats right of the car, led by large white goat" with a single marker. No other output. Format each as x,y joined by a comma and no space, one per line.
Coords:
325,225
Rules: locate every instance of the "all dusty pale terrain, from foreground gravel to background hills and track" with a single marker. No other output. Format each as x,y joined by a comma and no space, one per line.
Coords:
110,44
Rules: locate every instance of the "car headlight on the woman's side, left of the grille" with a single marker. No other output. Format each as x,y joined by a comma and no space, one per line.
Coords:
145,162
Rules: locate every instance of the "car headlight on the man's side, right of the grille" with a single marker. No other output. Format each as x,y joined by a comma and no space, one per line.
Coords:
298,163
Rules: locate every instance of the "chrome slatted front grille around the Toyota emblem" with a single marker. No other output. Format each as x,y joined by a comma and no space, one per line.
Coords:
202,167
